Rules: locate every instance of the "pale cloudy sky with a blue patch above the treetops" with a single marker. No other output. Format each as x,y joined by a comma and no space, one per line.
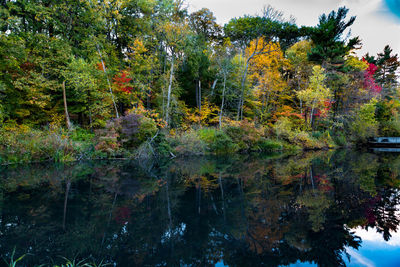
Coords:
377,23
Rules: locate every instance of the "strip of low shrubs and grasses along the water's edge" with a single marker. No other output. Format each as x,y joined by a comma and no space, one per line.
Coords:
22,144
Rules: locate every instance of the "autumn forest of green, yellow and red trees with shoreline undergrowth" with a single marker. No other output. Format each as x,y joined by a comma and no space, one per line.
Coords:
85,79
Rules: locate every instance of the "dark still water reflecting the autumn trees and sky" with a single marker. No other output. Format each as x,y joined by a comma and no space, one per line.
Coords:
320,208
